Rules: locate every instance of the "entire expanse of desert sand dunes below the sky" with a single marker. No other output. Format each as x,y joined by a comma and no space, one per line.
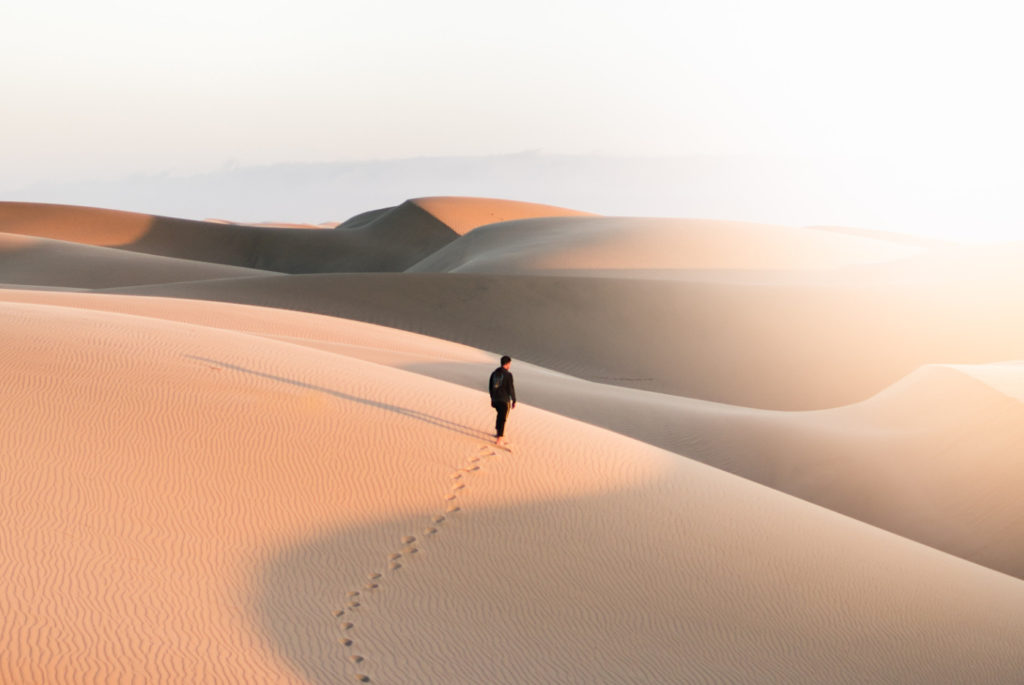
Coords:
743,453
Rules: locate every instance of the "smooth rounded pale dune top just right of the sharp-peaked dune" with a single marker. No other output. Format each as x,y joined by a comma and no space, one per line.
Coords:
570,244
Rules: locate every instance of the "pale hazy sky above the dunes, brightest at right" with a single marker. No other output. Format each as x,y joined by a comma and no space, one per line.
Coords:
110,90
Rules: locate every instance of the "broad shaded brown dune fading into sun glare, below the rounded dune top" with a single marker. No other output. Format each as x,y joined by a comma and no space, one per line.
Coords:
792,347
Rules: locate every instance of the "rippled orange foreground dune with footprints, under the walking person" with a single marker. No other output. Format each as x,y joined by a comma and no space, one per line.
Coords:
186,504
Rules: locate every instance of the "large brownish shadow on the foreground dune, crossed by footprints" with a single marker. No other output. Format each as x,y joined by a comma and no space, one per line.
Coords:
463,611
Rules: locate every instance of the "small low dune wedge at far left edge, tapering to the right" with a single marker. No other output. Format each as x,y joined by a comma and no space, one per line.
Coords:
29,261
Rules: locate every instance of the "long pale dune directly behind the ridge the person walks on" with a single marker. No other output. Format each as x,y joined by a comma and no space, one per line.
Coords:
935,458
